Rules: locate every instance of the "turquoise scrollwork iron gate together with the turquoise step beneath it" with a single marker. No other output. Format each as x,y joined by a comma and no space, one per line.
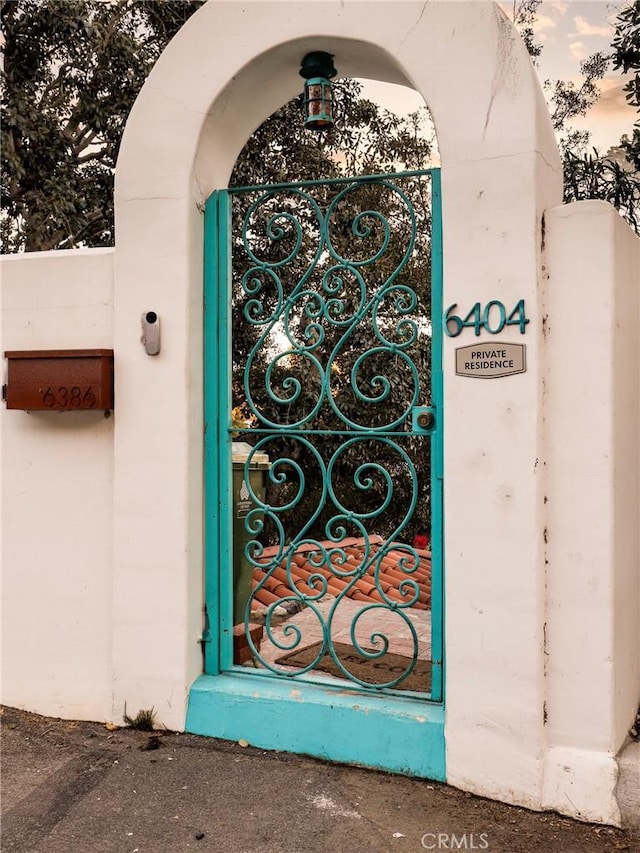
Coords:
323,465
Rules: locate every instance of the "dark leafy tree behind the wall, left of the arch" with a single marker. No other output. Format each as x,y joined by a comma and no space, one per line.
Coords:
71,71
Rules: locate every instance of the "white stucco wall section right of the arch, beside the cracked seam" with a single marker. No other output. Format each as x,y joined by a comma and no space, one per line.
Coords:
593,555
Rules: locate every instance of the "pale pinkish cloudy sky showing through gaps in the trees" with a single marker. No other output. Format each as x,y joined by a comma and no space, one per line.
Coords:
569,31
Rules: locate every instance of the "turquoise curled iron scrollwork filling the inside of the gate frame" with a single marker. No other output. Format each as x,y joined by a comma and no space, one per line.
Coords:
331,361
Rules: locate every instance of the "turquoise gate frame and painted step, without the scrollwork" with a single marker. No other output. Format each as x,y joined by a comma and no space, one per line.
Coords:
401,734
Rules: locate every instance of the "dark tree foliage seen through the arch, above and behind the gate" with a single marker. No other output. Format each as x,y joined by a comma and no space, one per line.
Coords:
301,349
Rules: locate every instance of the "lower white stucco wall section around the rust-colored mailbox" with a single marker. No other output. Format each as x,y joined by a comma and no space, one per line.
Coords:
56,471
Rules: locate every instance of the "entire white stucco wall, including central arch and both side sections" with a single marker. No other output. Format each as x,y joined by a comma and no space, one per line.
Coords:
102,519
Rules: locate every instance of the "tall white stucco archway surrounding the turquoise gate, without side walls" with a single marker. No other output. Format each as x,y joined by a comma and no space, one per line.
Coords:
500,171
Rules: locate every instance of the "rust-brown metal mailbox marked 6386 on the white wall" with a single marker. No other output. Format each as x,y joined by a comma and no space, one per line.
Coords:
60,380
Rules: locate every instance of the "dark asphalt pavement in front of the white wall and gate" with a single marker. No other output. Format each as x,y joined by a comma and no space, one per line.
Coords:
71,787
